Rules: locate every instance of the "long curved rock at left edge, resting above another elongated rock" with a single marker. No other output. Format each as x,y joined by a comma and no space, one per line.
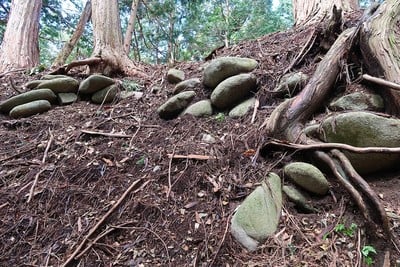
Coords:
39,94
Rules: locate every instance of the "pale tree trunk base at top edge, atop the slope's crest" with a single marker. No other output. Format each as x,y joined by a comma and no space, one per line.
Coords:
307,12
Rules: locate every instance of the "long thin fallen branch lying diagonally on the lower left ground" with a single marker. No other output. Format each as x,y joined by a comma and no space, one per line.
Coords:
101,221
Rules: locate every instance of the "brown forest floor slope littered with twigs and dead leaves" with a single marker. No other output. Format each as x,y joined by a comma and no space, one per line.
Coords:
176,211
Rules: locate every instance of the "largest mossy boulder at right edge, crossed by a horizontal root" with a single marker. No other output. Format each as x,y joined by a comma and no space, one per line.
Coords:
363,129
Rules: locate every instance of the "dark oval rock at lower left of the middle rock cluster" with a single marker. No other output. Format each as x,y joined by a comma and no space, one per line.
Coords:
175,105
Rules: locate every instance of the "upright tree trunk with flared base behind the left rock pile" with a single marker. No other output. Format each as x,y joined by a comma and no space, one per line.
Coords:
108,44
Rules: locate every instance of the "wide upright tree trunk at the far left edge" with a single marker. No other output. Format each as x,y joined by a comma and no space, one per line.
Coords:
20,47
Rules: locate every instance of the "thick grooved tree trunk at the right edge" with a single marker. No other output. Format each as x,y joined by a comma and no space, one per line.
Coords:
380,46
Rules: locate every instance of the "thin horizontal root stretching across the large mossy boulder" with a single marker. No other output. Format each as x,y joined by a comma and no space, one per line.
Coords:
329,146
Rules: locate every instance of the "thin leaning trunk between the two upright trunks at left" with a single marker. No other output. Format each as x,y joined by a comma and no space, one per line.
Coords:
69,46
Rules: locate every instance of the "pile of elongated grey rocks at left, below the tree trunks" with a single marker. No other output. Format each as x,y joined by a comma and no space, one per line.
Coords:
58,88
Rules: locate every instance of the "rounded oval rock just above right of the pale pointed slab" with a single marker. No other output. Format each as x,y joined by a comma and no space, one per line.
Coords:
308,177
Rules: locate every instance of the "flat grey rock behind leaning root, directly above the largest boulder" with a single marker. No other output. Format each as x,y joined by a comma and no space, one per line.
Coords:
359,101
